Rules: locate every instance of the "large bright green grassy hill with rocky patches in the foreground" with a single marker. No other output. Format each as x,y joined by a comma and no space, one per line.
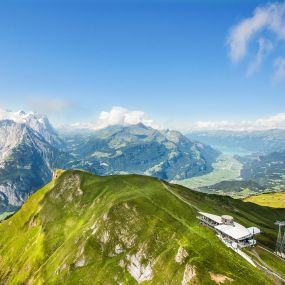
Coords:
81,218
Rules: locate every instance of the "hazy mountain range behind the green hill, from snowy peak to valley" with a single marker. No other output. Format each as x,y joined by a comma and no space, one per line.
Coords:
30,148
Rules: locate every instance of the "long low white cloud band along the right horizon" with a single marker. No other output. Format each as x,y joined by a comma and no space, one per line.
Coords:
273,122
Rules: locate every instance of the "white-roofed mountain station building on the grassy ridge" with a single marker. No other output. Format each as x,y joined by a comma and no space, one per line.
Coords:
228,230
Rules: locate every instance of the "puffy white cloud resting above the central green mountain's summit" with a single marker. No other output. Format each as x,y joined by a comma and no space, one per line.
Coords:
119,116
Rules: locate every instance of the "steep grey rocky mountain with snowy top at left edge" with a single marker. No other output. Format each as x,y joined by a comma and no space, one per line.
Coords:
29,150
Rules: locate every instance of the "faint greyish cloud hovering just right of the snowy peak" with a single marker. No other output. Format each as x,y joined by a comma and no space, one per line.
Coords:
49,106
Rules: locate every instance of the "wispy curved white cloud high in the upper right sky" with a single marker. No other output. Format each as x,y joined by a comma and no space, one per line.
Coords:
270,19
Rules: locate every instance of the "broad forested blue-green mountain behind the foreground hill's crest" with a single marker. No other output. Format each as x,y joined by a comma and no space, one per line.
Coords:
139,149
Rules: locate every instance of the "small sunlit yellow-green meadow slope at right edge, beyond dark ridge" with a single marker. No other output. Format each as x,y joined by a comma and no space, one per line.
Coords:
275,200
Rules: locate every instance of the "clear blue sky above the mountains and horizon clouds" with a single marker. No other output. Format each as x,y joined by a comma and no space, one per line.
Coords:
169,59
